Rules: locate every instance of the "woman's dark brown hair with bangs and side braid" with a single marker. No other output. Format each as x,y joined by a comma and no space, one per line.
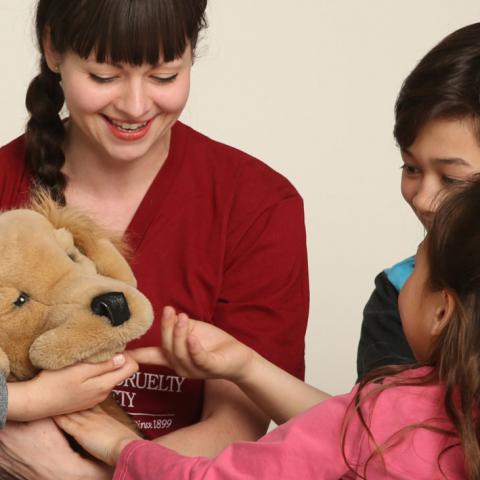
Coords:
120,31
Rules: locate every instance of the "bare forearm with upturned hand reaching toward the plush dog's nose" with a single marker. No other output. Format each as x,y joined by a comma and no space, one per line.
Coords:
200,350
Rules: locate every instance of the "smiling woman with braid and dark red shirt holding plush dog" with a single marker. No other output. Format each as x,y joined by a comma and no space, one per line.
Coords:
213,231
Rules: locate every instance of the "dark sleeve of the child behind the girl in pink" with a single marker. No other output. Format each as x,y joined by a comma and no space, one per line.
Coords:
382,341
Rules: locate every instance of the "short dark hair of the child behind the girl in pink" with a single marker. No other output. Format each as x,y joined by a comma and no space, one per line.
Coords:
444,85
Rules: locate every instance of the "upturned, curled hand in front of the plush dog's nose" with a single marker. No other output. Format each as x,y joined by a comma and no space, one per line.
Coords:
197,349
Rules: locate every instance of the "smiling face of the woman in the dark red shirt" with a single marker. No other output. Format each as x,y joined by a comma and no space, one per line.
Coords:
123,112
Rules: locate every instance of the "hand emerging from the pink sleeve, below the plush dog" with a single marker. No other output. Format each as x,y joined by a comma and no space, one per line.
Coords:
98,433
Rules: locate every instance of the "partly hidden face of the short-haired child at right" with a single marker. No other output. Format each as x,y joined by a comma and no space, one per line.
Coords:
444,152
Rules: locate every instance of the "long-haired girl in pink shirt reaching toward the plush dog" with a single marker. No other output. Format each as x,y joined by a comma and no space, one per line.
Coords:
416,422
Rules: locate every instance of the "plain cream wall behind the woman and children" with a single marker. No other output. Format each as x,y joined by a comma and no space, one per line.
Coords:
308,86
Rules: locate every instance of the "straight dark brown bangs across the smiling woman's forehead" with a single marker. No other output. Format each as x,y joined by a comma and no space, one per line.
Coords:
128,31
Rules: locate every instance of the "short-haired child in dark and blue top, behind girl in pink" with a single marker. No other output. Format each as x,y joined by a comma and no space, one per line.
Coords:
437,127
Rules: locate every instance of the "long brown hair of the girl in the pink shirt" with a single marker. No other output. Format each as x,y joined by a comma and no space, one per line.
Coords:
452,249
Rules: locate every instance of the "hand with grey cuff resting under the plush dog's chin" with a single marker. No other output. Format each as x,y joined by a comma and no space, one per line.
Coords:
70,389
